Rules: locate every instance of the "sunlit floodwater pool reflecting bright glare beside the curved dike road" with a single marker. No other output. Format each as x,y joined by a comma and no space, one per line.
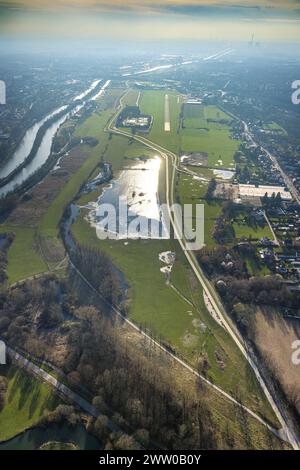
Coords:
135,191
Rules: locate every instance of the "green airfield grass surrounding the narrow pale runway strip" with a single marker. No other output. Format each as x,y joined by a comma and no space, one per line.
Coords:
196,134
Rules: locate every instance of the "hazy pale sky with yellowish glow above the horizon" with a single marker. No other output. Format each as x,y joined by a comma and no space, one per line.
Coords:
215,20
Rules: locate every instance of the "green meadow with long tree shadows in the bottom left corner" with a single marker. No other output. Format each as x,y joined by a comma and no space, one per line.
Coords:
26,401
